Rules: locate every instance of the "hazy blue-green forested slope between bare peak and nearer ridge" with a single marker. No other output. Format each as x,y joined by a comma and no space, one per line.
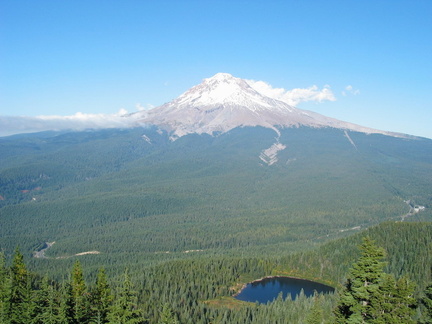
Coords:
134,192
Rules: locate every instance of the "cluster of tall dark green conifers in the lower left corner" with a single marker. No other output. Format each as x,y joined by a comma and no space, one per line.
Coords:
27,298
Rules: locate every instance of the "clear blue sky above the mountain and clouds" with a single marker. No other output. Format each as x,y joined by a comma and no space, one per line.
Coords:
97,57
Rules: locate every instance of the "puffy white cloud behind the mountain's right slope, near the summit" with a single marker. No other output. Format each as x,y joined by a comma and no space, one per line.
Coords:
294,96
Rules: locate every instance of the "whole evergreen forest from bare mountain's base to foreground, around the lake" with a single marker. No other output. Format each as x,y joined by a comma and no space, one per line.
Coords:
125,226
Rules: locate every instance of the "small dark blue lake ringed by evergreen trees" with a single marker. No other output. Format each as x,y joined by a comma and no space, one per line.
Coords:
268,289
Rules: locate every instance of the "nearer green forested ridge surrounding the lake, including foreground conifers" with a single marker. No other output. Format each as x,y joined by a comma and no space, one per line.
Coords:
200,290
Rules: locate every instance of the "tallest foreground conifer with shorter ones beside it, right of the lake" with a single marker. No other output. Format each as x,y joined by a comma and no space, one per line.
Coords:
371,295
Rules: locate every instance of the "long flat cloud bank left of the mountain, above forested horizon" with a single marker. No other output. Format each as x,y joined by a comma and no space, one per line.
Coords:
17,124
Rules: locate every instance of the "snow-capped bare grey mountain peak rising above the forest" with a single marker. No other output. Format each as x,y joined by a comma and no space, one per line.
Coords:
224,102
